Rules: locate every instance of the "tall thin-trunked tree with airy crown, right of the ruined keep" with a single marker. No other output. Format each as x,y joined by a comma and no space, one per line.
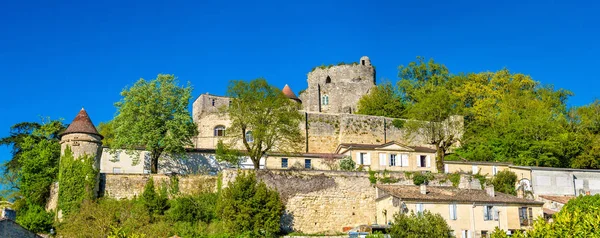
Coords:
425,86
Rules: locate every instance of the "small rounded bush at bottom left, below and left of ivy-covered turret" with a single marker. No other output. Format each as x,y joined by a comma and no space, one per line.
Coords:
35,218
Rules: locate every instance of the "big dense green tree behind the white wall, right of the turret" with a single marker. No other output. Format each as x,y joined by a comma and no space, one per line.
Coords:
154,115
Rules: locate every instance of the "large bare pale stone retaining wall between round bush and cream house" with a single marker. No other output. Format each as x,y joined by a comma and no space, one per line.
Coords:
325,201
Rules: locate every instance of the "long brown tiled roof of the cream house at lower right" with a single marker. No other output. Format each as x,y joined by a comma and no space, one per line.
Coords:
451,194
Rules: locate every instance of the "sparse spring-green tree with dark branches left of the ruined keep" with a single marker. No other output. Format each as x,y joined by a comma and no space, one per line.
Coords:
262,118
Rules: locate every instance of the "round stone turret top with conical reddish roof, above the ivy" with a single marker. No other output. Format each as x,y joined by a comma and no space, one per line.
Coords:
83,138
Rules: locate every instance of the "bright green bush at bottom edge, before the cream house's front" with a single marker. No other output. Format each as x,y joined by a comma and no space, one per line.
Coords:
426,224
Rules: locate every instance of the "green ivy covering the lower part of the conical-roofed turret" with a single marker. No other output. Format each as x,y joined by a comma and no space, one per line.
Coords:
77,179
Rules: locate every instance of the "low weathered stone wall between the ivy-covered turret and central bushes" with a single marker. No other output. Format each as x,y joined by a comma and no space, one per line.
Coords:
120,186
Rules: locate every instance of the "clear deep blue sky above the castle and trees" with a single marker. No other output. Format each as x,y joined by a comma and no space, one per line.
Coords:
59,56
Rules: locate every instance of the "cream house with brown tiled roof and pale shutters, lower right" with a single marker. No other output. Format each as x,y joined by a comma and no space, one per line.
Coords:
470,213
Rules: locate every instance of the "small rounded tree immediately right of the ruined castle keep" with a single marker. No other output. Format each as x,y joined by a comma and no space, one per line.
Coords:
382,100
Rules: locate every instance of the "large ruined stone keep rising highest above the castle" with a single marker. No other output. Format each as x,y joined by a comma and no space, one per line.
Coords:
337,89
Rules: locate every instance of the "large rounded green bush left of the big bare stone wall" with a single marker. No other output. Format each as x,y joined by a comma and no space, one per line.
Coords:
247,206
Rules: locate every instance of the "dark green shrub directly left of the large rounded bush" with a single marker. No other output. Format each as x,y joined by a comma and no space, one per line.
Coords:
193,208
